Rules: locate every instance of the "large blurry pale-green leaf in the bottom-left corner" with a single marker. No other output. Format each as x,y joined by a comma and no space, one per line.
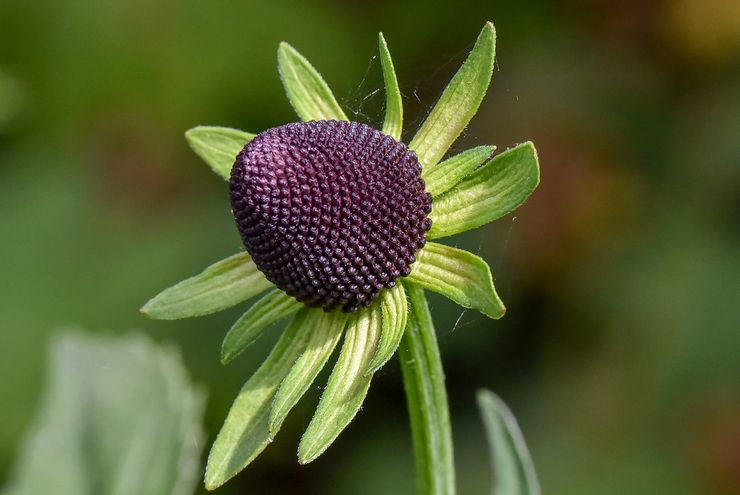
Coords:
119,416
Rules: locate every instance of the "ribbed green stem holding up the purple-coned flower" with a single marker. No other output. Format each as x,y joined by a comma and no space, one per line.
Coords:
424,381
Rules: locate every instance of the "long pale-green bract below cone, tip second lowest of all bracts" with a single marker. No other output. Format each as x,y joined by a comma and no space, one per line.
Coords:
347,386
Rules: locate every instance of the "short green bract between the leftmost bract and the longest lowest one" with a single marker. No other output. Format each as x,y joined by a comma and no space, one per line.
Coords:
274,306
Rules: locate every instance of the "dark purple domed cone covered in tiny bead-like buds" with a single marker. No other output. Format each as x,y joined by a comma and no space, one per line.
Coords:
331,212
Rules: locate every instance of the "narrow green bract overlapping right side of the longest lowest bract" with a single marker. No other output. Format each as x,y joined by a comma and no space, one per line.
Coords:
324,331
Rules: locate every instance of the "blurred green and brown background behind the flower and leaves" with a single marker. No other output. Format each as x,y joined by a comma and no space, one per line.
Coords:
620,353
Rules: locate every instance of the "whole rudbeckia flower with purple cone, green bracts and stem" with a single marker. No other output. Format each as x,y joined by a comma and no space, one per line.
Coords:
340,223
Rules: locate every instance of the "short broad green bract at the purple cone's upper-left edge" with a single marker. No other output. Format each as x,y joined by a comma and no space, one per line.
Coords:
218,146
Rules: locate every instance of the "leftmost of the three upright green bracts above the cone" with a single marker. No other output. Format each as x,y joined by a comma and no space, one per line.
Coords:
307,91
